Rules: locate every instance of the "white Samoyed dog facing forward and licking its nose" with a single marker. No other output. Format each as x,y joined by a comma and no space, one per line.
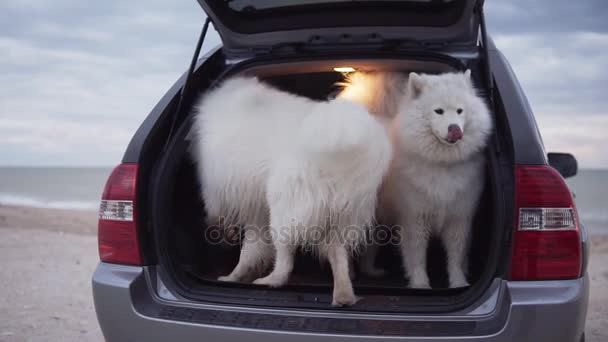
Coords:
439,128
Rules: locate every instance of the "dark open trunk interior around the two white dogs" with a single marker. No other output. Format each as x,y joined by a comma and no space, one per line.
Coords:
192,259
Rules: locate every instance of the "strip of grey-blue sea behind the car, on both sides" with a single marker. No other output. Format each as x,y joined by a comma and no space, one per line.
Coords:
80,189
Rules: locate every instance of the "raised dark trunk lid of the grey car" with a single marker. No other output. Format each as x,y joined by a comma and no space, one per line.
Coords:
259,26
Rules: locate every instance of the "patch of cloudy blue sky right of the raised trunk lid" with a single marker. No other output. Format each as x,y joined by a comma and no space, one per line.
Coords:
559,52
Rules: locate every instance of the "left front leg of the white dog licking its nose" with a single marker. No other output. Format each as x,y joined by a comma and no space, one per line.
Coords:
414,243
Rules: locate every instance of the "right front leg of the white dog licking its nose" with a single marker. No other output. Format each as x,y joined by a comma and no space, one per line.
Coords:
456,241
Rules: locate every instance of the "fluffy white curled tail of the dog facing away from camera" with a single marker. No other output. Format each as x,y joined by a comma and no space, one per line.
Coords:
341,132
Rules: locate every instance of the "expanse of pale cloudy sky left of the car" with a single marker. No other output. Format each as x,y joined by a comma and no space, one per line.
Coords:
76,81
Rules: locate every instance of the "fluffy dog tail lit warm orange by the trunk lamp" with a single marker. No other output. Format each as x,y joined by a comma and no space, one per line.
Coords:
379,92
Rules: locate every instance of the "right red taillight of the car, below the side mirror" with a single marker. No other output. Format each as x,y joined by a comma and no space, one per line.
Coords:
547,243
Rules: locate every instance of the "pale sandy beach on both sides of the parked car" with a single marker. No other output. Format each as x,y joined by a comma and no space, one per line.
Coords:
47,257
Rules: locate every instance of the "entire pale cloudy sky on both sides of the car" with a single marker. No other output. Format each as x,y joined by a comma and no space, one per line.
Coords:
77,77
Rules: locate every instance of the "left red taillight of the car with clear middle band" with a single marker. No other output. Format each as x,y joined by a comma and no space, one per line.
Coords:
117,230
